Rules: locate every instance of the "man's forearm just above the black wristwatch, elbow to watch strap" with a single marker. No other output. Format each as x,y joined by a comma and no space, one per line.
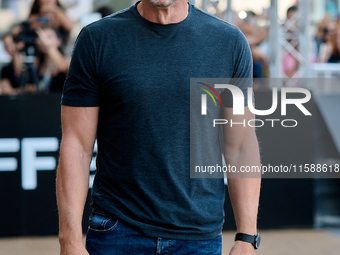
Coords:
244,192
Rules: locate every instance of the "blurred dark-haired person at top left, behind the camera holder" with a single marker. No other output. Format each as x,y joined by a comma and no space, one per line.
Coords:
53,11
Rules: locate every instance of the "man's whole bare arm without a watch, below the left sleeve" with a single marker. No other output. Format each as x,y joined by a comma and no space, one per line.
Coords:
79,127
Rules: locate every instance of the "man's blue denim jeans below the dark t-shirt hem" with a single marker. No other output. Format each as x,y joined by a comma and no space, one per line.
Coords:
106,236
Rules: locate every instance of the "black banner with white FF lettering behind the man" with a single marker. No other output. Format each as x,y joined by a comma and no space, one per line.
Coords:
30,134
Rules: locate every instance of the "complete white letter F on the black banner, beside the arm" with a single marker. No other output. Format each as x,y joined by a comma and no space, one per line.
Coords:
31,163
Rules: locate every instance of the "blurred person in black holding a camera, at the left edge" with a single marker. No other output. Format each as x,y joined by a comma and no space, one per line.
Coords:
38,62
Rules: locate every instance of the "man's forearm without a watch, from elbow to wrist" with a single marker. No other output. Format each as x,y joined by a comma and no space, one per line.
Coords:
72,189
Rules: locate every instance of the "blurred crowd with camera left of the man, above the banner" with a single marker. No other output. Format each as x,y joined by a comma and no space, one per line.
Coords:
40,49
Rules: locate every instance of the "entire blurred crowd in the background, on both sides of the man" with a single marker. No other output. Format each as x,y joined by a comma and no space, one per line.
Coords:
40,47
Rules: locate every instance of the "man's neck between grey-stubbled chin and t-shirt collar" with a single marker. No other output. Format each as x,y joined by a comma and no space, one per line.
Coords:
173,14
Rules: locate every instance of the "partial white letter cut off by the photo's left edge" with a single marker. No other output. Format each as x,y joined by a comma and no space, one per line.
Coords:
9,145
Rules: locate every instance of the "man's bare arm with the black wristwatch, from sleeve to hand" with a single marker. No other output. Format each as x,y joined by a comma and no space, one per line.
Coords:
241,149
